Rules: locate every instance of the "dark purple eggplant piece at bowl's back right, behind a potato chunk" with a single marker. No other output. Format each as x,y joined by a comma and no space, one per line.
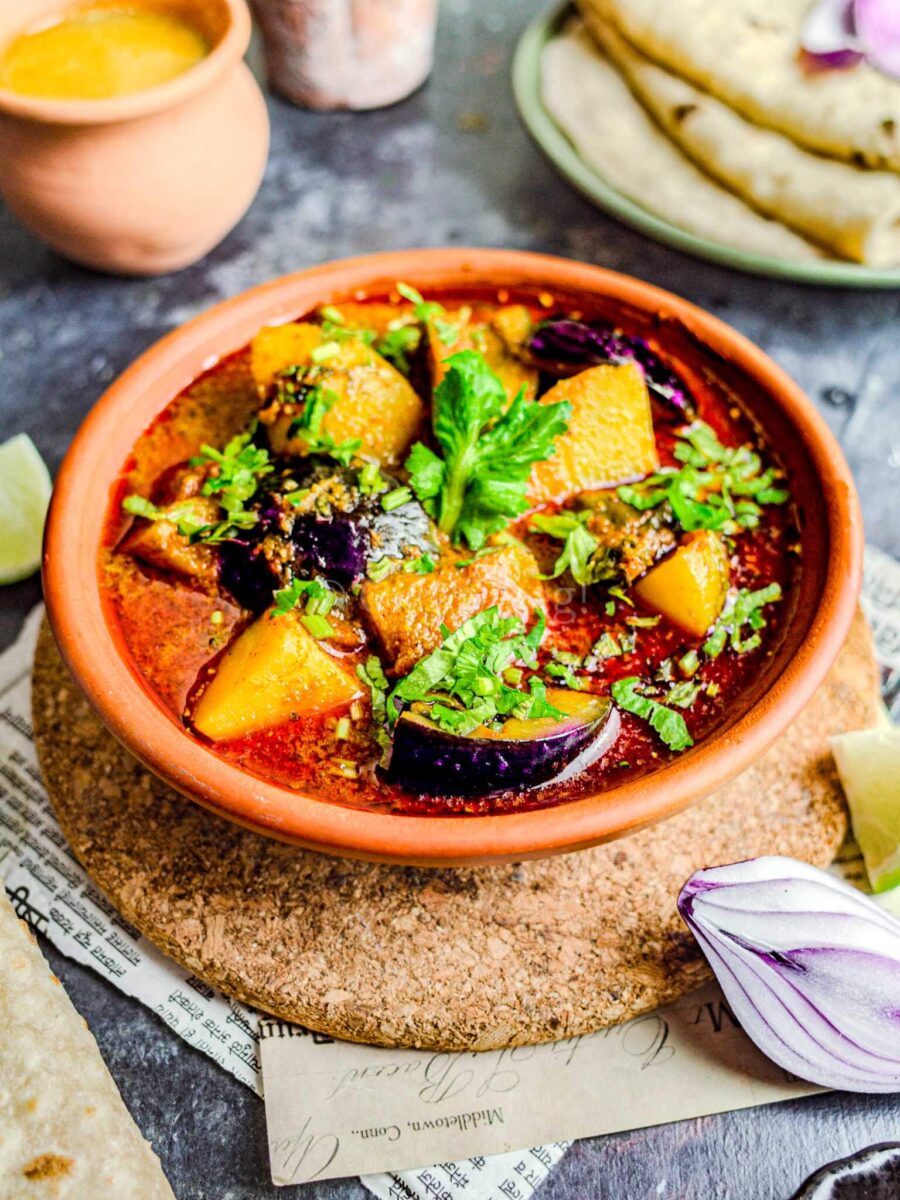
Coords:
565,346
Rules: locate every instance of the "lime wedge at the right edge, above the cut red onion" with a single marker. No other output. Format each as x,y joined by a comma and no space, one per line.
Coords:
869,767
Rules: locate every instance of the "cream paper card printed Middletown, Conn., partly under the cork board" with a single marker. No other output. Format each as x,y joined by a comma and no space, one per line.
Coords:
338,1111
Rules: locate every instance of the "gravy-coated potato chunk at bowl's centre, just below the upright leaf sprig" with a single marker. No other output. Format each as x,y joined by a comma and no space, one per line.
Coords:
406,611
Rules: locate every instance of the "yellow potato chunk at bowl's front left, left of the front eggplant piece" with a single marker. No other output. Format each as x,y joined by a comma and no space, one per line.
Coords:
273,671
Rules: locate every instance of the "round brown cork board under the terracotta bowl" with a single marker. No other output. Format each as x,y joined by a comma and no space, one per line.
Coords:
441,959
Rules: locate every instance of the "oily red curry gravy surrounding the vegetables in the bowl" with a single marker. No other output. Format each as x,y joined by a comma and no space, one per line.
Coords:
177,629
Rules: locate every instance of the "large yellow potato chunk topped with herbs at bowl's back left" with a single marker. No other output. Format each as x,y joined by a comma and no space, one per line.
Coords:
375,403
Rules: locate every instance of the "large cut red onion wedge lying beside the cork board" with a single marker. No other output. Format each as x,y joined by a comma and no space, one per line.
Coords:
809,965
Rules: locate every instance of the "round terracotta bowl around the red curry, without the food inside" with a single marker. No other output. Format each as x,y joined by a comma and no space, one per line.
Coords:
825,602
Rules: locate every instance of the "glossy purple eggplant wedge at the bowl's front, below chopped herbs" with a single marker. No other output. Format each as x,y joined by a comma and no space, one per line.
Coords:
525,753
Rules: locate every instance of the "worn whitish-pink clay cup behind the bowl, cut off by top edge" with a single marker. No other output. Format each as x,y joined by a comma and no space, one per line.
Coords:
347,53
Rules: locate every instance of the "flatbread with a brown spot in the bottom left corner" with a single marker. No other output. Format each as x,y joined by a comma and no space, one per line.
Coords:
65,1133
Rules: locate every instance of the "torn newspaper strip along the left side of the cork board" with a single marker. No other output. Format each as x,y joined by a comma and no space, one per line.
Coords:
51,891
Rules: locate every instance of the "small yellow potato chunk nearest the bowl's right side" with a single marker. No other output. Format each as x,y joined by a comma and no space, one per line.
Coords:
692,585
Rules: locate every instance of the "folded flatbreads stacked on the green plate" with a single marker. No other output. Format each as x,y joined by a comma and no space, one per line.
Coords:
705,115
